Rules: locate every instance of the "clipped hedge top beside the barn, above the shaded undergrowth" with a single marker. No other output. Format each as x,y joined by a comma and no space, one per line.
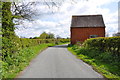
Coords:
104,44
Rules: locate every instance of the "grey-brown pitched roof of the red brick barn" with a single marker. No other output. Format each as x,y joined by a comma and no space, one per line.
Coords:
87,21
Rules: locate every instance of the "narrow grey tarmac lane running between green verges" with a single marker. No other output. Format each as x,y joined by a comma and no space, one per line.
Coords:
58,62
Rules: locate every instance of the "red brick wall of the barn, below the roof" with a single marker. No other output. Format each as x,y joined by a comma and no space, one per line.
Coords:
81,34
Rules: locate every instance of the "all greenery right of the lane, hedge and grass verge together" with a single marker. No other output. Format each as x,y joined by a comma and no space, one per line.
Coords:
102,53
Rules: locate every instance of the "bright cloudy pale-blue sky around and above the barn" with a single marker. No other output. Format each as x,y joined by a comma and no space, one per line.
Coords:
58,20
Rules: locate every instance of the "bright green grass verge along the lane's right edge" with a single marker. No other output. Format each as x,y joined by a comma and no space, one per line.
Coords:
107,70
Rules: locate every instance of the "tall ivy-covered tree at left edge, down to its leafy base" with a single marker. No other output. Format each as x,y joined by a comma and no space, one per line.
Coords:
9,46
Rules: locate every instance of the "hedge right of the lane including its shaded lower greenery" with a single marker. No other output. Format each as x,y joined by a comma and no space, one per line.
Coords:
109,48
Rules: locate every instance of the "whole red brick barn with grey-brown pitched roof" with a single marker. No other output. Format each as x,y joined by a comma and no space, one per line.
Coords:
86,26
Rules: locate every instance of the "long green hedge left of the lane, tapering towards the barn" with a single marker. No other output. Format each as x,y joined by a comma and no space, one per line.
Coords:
13,44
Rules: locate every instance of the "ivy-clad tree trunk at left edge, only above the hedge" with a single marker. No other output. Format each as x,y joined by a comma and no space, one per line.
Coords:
7,20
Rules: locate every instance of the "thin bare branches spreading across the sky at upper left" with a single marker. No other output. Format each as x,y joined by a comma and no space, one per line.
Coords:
25,10
